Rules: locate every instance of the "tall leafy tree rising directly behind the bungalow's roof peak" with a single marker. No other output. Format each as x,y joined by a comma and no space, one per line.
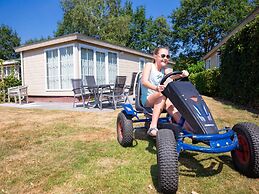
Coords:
97,18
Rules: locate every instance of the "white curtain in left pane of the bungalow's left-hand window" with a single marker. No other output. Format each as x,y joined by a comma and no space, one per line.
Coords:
52,69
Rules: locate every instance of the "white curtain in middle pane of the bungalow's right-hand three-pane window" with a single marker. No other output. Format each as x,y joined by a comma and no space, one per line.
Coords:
100,68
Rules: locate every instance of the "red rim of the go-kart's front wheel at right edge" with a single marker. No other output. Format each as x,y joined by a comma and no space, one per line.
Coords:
243,153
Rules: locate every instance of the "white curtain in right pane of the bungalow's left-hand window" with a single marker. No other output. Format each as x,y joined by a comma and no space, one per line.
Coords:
66,67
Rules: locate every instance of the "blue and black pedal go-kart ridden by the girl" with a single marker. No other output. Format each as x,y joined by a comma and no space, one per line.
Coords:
242,140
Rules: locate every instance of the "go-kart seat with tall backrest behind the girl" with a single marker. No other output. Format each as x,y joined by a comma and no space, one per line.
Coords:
148,111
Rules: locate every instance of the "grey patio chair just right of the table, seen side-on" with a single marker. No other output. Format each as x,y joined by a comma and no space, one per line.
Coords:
114,95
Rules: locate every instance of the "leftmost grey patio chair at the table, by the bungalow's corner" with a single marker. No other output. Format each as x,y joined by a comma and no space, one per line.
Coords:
79,91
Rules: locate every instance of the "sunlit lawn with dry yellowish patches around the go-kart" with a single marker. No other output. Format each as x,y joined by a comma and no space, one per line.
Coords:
71,152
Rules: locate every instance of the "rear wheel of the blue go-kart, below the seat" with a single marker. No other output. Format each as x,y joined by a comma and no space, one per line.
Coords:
124,129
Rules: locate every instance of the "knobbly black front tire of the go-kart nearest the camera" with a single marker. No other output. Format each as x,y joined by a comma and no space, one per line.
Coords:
167,161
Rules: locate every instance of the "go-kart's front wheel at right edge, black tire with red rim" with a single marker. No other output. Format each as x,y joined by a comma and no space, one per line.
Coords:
246,158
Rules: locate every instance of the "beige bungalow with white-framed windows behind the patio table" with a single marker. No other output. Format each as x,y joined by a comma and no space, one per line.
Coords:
47,67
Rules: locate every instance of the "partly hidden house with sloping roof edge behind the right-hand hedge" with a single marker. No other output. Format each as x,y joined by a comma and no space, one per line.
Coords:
212,58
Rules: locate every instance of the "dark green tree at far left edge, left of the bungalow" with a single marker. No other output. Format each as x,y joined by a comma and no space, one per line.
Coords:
8,40
